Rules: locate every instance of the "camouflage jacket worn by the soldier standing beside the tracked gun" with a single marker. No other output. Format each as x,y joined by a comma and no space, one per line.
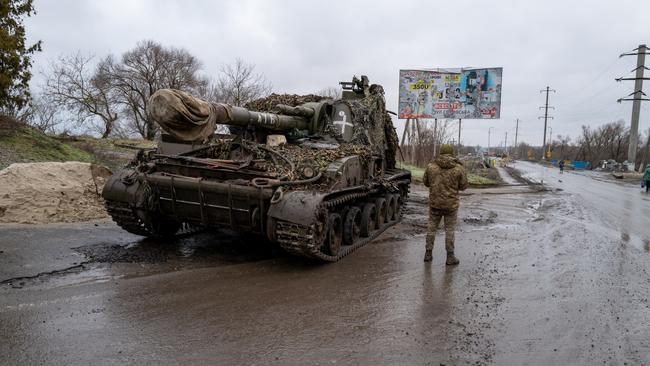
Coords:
445,176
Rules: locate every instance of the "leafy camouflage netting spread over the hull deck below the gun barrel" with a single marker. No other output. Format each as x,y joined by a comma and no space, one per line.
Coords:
285,160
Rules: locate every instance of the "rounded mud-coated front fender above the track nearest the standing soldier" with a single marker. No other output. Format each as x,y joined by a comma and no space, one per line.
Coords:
297,206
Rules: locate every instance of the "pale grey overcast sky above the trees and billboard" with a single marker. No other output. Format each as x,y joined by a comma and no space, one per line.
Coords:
304,46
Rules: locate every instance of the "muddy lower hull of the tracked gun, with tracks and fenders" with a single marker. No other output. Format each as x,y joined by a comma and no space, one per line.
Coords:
299,221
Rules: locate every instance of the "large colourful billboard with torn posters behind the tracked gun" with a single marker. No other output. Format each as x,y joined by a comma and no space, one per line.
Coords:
460,93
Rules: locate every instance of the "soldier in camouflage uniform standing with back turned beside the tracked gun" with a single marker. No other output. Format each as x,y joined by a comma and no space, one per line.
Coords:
445,177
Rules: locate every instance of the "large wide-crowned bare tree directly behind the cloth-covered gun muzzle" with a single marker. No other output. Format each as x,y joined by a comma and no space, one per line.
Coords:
145,69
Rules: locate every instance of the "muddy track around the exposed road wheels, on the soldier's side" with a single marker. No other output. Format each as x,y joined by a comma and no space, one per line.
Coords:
299,240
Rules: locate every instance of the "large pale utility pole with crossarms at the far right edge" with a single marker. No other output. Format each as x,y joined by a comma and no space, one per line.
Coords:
637,96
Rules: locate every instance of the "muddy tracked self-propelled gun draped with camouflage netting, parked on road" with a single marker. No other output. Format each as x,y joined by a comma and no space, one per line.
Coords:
316,178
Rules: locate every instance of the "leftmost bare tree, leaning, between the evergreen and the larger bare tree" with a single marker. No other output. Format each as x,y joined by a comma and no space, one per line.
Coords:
72,83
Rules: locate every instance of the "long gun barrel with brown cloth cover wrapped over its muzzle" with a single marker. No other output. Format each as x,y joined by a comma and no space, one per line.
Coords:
190,119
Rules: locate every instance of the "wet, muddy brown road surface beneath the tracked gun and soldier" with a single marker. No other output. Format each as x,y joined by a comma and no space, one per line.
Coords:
558,276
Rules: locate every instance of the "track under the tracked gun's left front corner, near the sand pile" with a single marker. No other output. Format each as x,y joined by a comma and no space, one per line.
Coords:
123,215
